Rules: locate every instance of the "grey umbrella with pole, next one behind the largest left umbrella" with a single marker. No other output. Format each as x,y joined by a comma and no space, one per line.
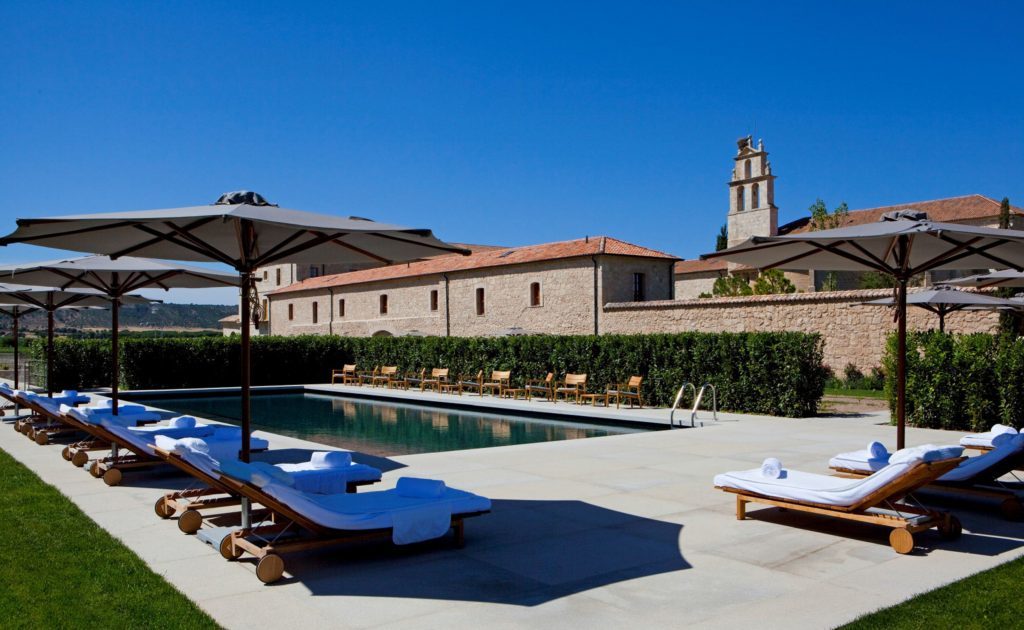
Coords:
115,278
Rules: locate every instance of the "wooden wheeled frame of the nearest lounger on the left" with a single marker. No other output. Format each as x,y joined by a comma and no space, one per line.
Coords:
268,543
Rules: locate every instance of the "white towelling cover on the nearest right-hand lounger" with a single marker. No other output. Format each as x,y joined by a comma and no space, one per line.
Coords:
823,489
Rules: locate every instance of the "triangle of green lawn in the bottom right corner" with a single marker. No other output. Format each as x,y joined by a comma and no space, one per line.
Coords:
989,600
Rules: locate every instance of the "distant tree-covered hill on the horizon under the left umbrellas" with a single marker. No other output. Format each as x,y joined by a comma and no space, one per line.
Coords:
154,316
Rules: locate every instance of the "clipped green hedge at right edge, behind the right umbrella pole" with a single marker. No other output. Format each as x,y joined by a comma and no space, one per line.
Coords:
960,383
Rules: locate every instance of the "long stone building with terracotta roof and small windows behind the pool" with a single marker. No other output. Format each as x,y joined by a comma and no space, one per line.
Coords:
554,288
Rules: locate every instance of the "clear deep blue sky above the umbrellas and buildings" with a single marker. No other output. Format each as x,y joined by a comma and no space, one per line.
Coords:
505,123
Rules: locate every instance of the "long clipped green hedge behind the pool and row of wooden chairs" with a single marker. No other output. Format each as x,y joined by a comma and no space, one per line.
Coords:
767,373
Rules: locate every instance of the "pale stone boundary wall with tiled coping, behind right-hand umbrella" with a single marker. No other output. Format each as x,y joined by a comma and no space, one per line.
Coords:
852,333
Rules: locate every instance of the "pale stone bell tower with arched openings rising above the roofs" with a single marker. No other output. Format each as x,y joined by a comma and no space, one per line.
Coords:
752,194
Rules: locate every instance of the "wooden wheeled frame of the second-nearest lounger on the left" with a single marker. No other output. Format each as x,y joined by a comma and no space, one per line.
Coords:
190,502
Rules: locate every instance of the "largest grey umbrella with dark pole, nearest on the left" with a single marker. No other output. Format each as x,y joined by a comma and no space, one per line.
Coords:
243,231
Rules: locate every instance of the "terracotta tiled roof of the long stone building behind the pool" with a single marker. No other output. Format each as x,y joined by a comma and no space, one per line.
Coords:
482,260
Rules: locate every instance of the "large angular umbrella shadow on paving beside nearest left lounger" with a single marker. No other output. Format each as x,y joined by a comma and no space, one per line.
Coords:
524,554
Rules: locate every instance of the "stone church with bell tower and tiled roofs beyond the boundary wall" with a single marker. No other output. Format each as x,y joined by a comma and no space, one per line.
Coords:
753,213
